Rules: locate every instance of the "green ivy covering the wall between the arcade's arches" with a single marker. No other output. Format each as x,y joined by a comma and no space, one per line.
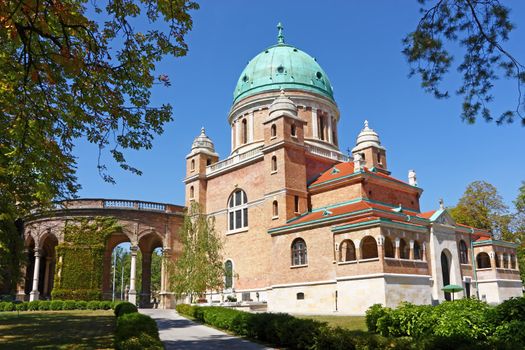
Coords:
82,253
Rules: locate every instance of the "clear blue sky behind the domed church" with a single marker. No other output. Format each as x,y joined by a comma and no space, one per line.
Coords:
358,44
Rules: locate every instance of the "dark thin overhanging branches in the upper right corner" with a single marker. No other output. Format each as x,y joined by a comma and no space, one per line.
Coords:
480,27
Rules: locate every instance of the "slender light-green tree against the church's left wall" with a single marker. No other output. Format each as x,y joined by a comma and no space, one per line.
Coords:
200,267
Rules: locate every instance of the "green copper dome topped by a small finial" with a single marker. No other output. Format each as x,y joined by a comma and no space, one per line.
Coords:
282,67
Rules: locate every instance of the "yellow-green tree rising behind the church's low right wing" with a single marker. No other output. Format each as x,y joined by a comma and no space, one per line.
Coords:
482,207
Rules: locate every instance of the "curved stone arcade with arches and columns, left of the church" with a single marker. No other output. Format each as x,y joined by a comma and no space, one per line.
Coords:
146,226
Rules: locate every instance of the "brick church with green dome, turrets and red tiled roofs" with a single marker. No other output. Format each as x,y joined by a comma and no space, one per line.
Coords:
307,229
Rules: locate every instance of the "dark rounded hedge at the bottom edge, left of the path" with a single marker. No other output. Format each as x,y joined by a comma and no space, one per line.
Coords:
136,331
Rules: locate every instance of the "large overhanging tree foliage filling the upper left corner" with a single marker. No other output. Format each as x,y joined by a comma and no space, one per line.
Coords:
77,69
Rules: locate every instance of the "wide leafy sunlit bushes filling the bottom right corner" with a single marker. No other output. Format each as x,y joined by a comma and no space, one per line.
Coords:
460,324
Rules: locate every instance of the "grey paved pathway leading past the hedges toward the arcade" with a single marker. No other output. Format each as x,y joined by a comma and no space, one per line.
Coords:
177,332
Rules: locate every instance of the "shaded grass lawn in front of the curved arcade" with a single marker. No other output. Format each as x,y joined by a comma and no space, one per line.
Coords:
79,329
